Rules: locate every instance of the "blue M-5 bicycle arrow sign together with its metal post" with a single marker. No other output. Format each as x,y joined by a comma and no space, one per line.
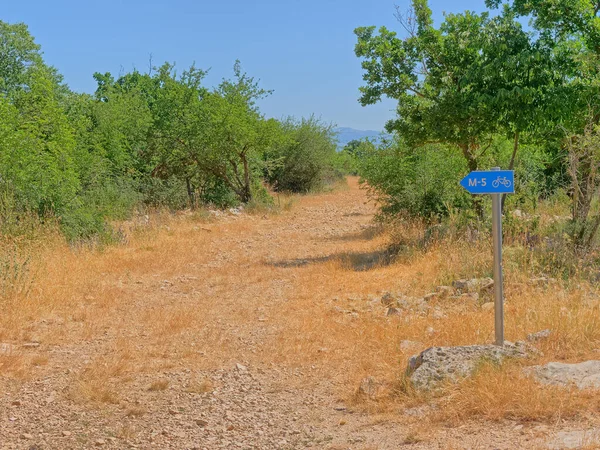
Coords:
495,182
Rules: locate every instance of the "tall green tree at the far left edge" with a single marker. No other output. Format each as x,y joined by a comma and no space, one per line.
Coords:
36,141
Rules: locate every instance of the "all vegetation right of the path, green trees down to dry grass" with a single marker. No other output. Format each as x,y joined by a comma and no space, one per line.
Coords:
473,92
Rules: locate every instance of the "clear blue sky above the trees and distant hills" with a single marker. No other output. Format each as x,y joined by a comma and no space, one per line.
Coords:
302,49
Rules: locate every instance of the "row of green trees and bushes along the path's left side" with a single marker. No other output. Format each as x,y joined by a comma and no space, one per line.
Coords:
142,141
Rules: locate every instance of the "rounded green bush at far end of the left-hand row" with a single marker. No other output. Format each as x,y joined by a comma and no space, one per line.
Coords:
304,158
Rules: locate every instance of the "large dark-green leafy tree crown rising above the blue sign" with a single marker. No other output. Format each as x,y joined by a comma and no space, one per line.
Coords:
462,84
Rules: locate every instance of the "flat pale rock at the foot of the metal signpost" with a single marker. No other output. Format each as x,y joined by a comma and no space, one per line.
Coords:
437,364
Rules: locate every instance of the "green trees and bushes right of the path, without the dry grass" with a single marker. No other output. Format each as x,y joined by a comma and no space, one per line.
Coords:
483,90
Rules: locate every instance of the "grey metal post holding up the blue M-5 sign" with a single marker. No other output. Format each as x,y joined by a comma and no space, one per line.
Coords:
498,281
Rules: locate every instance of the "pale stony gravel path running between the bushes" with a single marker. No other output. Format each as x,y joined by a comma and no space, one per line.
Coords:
220,384
